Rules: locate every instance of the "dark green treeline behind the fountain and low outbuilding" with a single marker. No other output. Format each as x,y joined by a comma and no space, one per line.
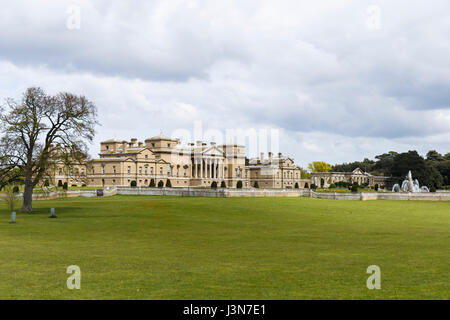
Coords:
432,171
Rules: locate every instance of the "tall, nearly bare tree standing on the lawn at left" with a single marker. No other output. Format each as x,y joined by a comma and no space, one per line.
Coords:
37,122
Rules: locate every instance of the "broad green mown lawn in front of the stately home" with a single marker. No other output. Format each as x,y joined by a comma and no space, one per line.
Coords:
142,247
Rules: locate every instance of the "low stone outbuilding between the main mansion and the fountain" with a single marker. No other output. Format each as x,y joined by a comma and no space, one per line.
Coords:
325,179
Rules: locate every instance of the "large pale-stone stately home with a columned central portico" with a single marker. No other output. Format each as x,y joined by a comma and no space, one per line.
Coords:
162,159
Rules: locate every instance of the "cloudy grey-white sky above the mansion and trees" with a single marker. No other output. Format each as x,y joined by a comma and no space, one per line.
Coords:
335,81
